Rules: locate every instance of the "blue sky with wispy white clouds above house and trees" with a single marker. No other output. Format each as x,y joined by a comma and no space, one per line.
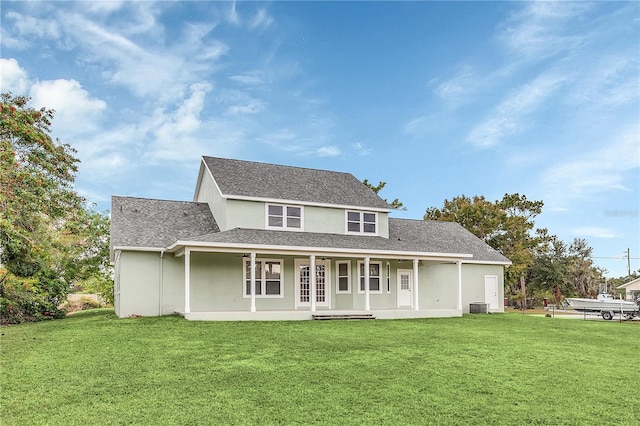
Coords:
437,99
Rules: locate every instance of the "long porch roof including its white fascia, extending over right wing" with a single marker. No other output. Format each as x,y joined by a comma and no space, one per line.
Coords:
413,238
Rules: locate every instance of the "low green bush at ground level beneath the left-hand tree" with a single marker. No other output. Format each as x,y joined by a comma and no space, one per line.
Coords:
30,299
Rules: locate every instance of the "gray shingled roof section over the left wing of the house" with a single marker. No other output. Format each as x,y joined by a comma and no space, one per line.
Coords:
143,222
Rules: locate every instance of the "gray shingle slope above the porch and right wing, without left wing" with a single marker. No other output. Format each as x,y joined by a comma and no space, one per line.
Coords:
404,236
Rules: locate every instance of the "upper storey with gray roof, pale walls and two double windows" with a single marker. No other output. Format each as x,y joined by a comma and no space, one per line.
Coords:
245,194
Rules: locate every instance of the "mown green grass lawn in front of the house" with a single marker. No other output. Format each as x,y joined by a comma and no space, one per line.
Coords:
92,368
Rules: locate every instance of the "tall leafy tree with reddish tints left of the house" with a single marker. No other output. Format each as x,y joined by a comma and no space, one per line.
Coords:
49,237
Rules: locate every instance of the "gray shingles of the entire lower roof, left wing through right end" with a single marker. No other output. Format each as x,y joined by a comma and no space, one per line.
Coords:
141,222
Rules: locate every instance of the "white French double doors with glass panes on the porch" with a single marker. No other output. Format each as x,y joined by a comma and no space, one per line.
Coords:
303,283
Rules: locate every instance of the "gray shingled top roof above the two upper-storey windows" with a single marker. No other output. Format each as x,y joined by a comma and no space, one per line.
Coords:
271,181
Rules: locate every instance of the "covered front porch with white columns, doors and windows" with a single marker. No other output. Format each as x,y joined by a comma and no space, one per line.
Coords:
277,283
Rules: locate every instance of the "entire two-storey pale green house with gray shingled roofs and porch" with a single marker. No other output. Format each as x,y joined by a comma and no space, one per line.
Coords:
264,241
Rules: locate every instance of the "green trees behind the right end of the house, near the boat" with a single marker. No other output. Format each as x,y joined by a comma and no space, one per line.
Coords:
541,263
